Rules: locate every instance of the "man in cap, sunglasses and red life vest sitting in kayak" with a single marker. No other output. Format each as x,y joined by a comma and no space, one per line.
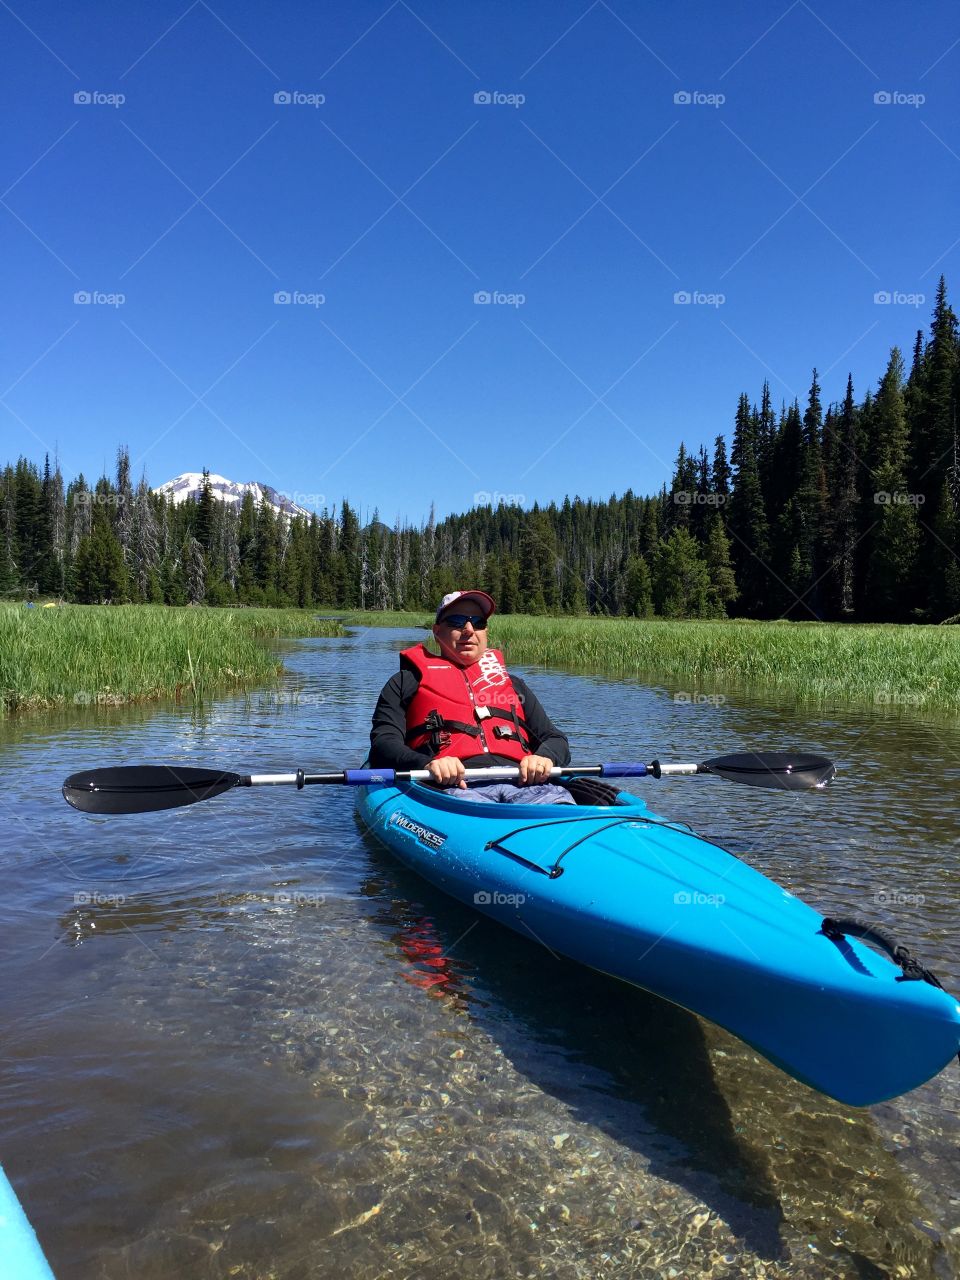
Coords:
461,710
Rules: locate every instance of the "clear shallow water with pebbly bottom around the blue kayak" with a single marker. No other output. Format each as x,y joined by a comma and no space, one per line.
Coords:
260,1049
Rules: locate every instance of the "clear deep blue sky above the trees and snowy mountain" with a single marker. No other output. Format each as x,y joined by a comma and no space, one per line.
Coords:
578,194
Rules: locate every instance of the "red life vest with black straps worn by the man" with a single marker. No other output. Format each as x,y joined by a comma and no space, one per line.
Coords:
465,711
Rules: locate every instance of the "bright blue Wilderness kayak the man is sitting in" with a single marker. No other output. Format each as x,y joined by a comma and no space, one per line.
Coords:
652,903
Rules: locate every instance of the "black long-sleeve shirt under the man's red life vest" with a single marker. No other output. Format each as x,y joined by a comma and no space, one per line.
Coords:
388,748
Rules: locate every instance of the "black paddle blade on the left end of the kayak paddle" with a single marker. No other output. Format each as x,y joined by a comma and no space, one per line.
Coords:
143,789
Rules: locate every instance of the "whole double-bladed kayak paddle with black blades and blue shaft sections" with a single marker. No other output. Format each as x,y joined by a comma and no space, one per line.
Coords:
149,788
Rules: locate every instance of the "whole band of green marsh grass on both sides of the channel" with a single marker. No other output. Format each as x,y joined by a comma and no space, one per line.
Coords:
92,655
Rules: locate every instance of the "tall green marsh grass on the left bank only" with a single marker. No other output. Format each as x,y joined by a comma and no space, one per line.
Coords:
108,655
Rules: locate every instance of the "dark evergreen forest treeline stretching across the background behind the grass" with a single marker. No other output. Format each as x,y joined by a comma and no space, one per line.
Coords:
849,514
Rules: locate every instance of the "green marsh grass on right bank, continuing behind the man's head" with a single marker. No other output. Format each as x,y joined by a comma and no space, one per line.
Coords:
885,666
